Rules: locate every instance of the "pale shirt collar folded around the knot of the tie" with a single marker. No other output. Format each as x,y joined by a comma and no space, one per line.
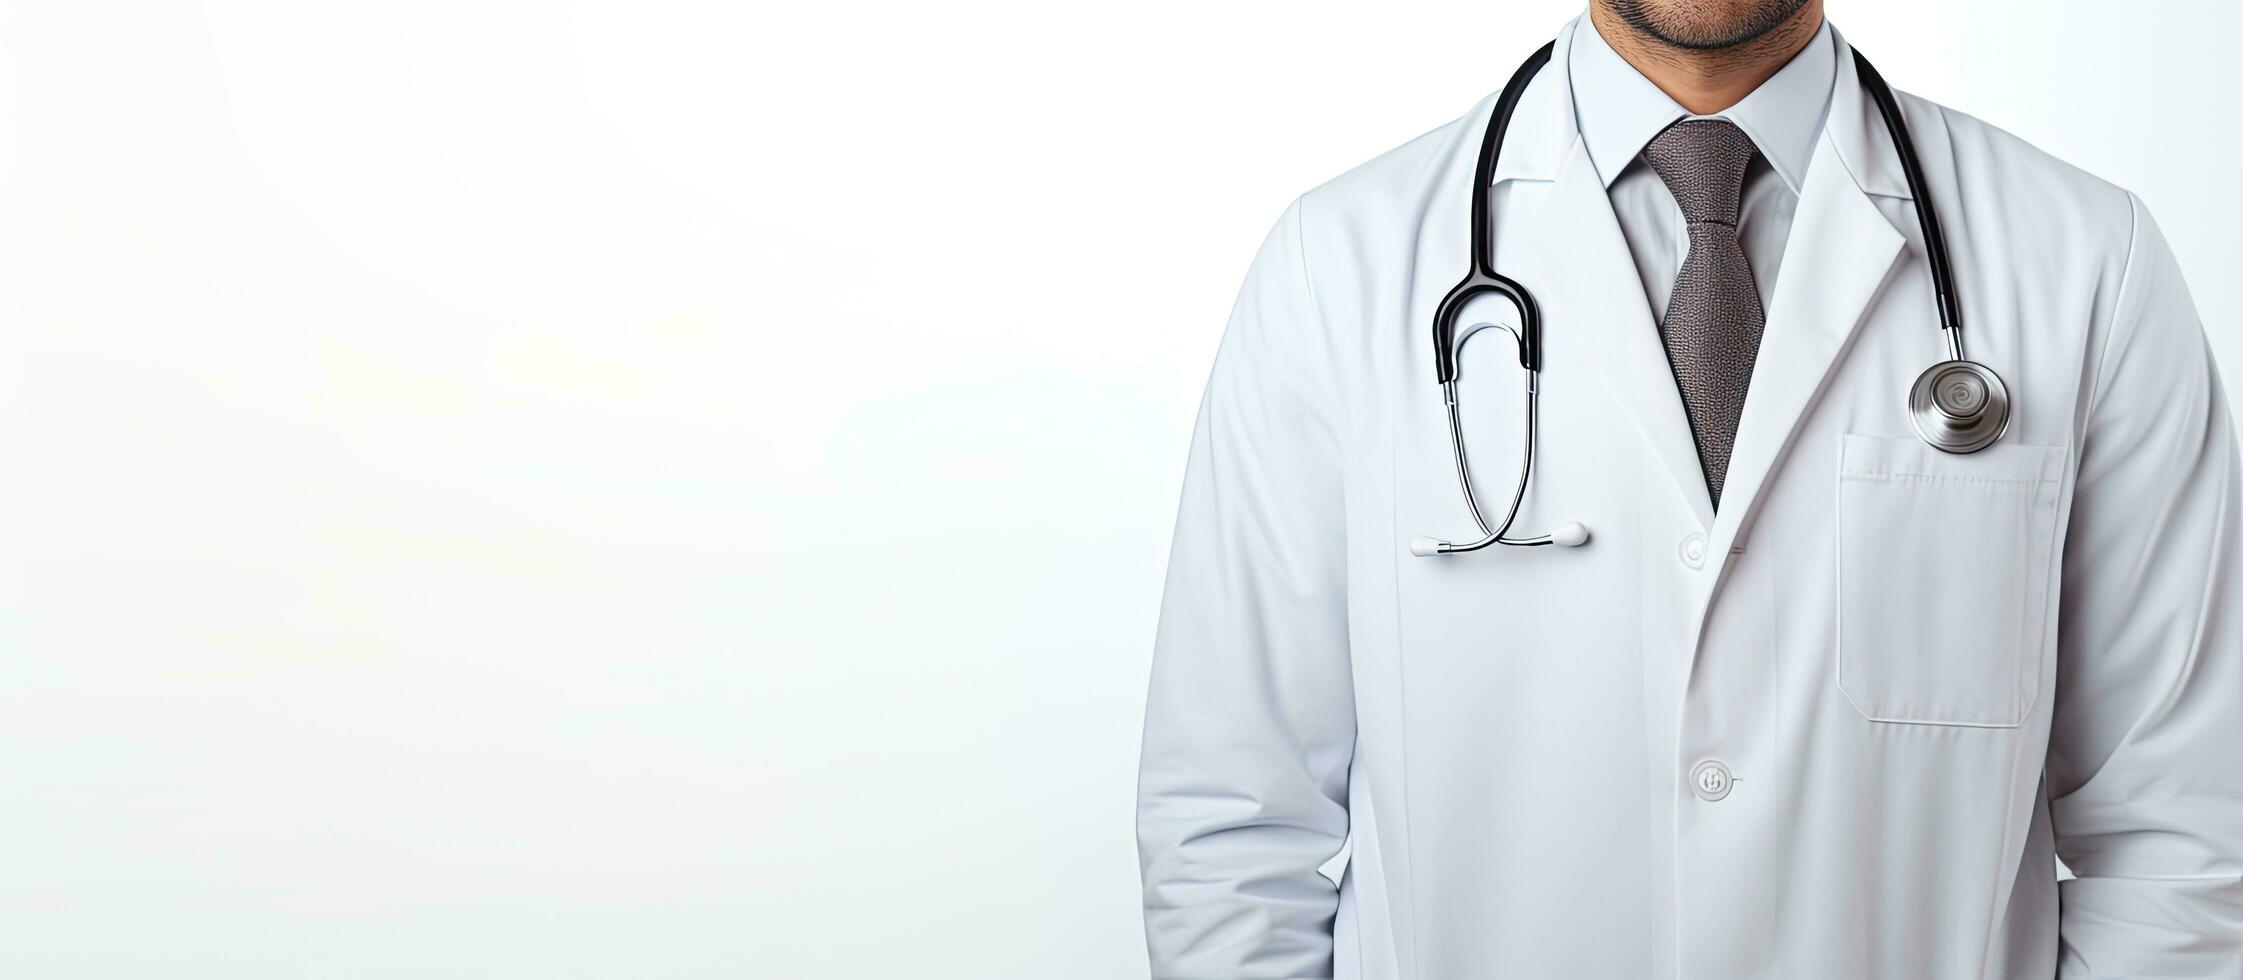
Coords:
1621,111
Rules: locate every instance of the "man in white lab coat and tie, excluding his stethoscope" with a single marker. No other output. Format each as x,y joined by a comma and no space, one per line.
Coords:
1816,701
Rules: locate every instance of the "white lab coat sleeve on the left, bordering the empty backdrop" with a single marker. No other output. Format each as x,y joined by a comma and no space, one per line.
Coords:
1250,721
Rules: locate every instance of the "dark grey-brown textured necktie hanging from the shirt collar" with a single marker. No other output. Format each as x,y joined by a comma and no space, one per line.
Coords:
1715,315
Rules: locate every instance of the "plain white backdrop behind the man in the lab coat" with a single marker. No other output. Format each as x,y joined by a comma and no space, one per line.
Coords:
681,490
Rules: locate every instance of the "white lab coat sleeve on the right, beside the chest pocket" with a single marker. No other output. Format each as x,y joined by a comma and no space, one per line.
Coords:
2145,761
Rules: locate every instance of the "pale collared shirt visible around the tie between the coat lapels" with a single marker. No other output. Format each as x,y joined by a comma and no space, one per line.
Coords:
1621,111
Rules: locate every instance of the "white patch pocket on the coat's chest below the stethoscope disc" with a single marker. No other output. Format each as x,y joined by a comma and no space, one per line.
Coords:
1944,577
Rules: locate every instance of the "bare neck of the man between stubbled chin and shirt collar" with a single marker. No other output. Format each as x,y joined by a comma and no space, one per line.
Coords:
1708,80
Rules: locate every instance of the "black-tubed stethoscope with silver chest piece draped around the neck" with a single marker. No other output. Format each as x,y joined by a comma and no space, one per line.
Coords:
1957,405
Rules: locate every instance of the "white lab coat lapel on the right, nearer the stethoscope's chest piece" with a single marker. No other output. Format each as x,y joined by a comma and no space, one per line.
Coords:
1836,261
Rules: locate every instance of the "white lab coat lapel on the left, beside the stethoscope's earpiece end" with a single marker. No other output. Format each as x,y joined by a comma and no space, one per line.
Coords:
1587,284
